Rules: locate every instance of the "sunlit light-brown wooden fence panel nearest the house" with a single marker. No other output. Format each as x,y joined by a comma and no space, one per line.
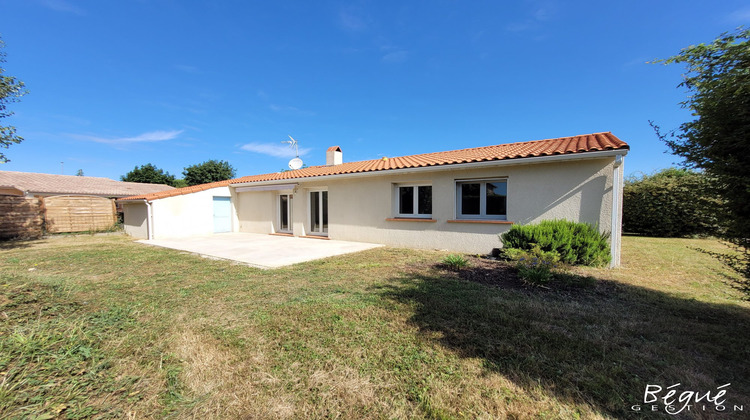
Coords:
79,213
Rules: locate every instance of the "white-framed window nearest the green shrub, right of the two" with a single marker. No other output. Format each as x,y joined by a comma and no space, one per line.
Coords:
482,199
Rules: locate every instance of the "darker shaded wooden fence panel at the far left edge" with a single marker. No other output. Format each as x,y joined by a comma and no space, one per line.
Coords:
20,217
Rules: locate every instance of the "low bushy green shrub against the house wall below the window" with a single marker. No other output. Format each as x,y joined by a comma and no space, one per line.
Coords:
571,242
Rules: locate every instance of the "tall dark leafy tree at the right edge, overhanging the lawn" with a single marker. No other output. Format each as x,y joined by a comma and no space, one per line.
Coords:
717,140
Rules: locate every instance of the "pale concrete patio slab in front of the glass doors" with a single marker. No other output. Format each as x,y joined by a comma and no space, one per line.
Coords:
262,251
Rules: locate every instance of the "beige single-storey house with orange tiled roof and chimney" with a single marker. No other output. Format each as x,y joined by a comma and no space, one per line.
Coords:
457,200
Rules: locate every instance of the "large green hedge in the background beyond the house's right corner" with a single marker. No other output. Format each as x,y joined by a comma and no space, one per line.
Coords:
670,203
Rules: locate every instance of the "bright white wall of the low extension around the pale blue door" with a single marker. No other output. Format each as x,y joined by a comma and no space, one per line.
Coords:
189,214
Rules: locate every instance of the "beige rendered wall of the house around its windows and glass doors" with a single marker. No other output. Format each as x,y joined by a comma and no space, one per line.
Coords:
358,207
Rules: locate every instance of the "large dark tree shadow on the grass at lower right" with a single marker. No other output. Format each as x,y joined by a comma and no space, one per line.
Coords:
598,344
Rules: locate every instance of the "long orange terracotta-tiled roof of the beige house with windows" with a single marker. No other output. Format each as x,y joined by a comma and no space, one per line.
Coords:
560,146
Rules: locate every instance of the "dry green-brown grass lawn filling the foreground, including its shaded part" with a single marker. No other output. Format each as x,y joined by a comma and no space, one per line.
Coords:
100,326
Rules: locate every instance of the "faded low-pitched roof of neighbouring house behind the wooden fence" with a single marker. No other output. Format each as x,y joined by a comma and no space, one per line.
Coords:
49,184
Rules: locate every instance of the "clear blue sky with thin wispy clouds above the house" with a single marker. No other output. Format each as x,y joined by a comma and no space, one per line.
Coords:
115,84
